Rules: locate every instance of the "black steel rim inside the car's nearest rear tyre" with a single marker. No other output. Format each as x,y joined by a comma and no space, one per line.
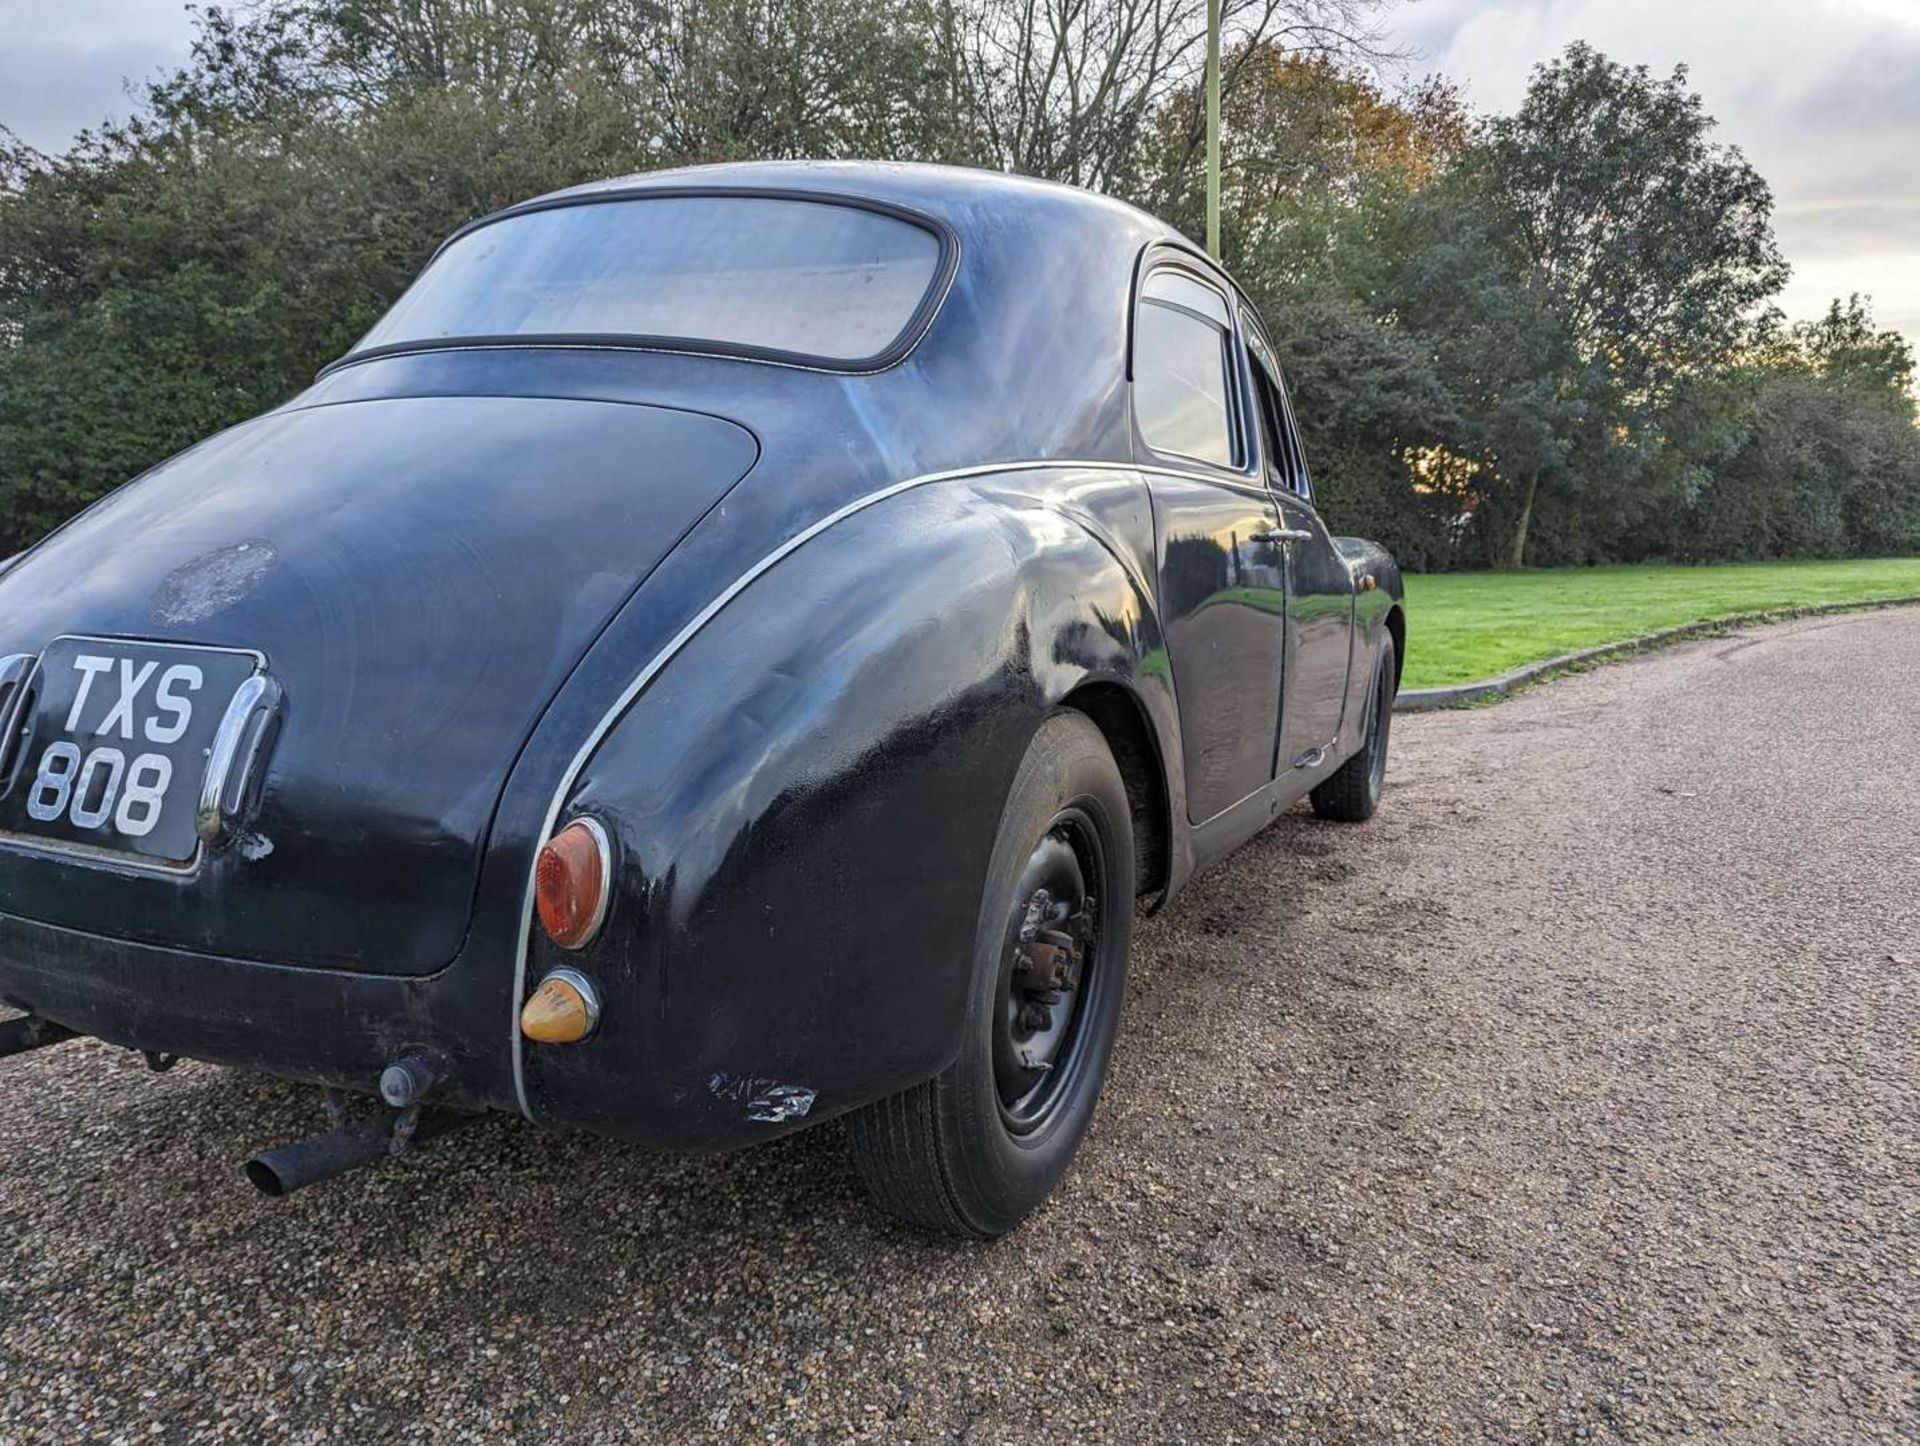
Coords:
1051,975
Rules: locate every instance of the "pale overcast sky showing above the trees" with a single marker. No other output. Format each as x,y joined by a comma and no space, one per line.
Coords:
1823,95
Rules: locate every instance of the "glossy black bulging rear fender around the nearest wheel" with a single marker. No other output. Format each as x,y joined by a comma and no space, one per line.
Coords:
805,798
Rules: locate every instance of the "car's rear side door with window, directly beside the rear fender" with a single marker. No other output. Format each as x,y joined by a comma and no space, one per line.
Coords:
1222,569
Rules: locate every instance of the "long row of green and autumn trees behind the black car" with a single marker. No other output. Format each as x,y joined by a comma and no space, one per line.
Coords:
1548,324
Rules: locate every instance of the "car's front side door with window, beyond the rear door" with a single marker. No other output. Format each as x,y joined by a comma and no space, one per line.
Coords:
1320,587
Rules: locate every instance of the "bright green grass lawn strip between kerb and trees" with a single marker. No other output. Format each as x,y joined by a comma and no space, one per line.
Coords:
1474,625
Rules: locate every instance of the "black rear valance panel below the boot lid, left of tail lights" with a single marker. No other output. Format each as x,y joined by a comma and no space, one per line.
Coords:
320,1026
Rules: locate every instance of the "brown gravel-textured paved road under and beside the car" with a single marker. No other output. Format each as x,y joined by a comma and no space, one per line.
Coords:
1579,1096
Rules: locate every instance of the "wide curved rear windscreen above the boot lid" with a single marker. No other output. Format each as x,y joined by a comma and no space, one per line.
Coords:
732,274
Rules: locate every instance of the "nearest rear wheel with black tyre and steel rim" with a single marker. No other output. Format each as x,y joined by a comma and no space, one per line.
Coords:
978,1147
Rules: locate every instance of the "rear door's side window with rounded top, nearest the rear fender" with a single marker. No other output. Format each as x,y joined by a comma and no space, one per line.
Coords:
1184,370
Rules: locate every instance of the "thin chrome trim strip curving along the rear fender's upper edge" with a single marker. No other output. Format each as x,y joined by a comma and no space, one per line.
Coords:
686,635
